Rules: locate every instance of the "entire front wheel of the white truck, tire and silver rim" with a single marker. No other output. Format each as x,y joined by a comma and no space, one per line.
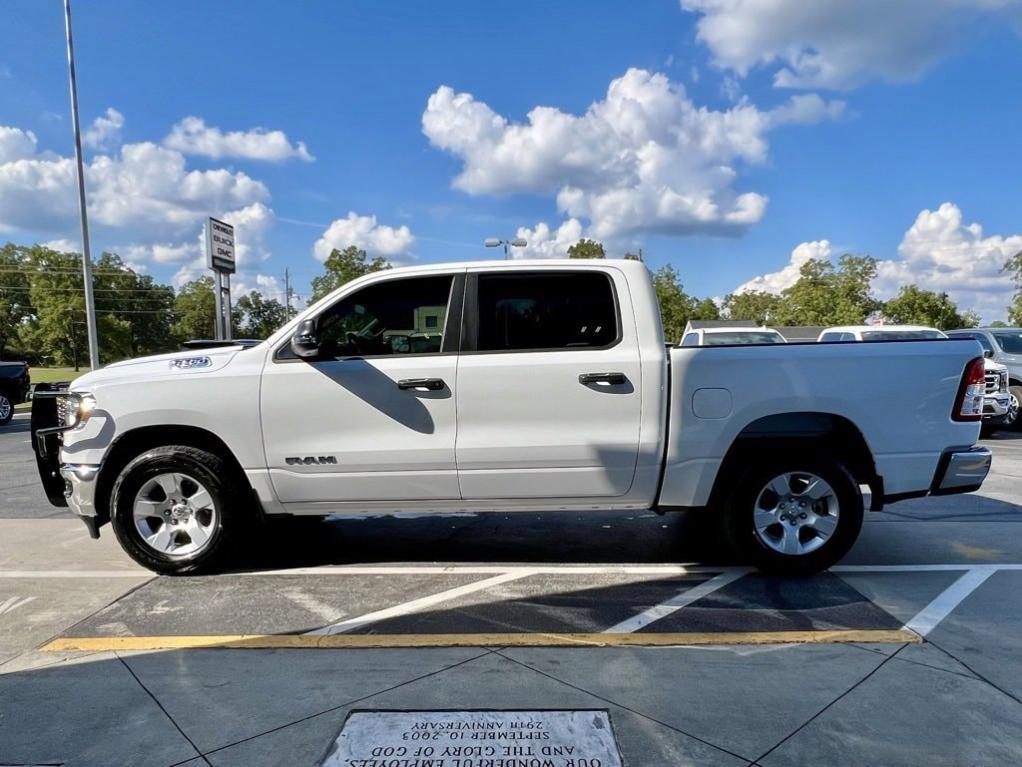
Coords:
172,510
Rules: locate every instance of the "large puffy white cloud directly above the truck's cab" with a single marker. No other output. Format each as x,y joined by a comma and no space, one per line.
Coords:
644,159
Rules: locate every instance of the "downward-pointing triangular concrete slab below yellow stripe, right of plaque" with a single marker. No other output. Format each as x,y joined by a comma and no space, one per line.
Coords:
737,698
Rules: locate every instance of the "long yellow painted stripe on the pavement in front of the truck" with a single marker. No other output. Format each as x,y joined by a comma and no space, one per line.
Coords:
363,642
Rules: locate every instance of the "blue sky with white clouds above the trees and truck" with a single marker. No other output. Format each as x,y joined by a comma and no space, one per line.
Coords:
904,144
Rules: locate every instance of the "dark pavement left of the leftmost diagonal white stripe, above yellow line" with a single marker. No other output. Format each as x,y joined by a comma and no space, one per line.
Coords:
257,605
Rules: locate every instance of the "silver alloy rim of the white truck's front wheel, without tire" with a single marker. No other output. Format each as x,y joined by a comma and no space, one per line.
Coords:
175,515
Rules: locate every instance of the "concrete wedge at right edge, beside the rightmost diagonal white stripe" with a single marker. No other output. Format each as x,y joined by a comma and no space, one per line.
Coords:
986,631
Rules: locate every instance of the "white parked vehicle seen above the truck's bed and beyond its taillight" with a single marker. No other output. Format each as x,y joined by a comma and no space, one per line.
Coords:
997,400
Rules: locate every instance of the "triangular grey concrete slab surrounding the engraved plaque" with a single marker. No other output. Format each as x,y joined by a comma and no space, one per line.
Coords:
491,683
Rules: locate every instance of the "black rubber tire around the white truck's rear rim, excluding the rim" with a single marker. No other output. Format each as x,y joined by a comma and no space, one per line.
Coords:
740,529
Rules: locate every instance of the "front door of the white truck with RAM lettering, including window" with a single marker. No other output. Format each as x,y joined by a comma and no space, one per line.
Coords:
373,417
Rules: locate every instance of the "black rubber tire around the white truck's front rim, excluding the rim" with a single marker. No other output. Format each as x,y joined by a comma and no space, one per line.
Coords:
219,479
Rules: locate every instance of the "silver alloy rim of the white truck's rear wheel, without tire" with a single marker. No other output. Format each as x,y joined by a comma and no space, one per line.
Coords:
797,514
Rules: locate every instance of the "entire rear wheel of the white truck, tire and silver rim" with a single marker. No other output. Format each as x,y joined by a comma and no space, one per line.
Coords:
795,516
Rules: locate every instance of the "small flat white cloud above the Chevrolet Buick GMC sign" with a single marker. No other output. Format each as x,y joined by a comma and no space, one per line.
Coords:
194,137
